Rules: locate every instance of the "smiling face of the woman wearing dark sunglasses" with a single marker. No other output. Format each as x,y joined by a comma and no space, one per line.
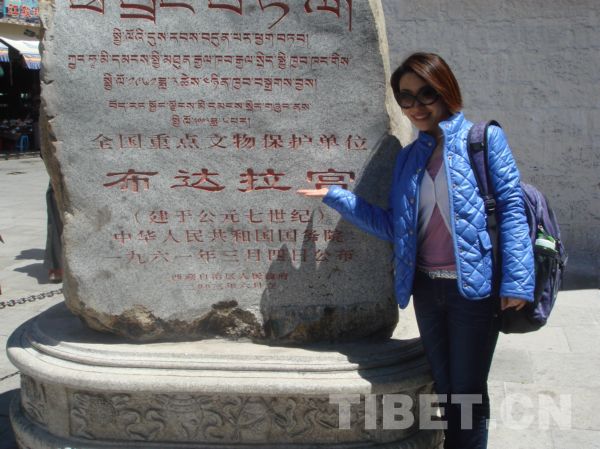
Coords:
425,117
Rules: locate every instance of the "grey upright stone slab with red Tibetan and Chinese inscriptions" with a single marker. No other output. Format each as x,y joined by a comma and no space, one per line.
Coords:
177,136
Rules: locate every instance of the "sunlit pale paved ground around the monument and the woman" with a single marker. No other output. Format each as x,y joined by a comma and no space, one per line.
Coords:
545,386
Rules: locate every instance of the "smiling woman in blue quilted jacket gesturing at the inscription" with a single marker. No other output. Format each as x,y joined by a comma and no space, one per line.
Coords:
442,251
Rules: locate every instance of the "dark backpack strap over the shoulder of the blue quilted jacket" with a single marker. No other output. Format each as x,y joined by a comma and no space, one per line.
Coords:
477,148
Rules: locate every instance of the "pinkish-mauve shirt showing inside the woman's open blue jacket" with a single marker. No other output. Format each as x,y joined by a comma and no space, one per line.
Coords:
436,251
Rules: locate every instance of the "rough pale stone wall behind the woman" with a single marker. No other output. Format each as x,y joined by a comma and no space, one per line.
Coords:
533,66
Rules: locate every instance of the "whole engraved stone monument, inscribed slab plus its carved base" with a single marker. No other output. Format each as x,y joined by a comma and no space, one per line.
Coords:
209,305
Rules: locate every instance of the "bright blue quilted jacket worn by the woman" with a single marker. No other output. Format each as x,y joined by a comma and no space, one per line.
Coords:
472,244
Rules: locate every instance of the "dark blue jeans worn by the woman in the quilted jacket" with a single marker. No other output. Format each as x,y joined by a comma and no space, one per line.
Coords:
459,337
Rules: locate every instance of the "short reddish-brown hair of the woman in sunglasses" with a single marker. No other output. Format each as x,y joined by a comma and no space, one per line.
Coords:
434,70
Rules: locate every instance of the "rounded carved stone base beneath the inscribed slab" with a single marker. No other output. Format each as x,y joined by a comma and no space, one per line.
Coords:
83,389
